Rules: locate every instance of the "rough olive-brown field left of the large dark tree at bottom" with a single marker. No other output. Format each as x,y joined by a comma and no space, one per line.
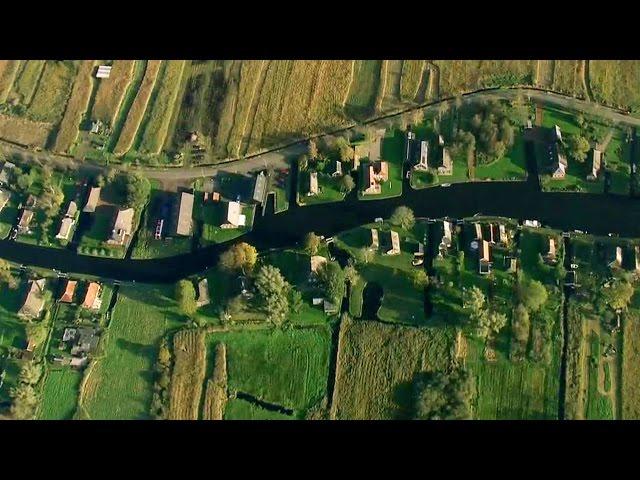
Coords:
377,364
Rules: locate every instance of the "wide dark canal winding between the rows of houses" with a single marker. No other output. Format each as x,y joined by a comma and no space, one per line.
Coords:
592,213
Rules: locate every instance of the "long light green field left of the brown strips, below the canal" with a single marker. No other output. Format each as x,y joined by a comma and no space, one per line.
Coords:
118,385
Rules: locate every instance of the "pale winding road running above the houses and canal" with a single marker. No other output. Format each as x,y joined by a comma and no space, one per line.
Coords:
278,158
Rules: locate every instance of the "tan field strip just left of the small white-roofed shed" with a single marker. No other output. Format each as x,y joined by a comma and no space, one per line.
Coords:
76,107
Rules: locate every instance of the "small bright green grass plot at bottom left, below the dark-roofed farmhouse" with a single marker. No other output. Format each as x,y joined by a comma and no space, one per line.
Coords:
60,394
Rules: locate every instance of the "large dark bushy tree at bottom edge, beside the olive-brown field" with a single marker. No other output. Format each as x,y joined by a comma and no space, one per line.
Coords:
443,396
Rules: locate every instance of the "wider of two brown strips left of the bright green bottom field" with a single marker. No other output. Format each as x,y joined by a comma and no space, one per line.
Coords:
188,375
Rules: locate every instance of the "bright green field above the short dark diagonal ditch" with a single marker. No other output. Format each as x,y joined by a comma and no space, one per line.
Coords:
284,367
